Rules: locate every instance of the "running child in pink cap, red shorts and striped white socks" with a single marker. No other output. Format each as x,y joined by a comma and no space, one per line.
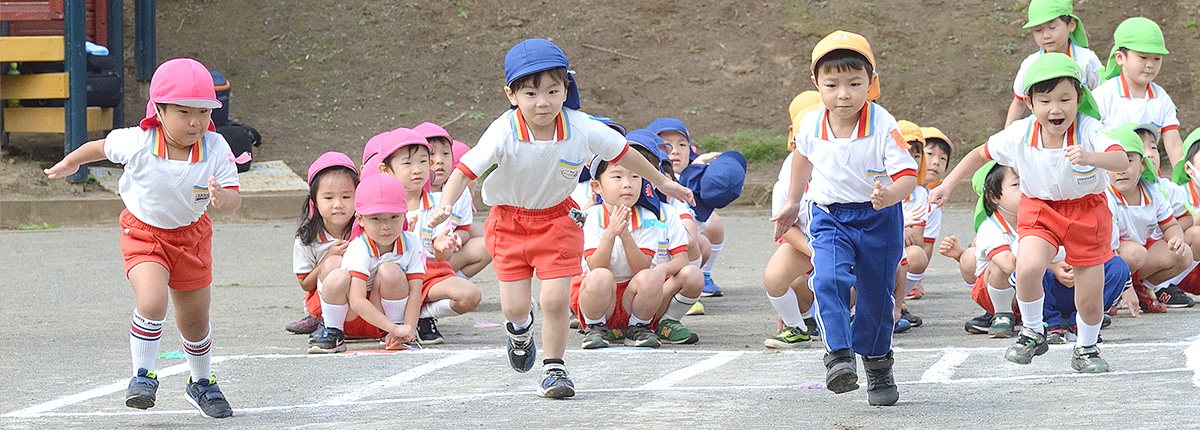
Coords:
176,166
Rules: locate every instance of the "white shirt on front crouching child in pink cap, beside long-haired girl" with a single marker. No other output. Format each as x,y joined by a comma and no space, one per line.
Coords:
363,258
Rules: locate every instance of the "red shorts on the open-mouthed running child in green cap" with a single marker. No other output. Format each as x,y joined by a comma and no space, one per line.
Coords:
1083,226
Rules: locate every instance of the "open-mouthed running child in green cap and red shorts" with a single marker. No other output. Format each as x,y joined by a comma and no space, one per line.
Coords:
1060,152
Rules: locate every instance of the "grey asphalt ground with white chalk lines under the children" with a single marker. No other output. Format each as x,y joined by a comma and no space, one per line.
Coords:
65,312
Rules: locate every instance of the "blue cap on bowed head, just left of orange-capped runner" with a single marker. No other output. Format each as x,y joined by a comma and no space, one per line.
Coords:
717,184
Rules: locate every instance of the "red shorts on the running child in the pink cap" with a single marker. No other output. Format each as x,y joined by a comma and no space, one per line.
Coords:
187,252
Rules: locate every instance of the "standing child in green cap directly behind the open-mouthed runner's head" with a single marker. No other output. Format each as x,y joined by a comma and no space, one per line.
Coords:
1057,29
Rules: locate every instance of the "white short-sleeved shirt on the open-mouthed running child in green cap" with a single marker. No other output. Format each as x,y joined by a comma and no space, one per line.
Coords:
1047,174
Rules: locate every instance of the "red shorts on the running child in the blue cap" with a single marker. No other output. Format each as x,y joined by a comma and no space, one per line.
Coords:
521,241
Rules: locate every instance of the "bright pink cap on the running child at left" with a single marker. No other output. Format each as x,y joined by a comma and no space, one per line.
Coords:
184,82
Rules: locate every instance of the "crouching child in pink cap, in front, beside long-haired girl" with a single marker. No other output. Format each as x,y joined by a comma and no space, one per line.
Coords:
381,271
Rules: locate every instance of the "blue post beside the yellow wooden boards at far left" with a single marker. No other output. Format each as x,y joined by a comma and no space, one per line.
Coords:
75,63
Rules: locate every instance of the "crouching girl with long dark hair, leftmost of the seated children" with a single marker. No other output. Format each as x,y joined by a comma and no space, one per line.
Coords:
325,229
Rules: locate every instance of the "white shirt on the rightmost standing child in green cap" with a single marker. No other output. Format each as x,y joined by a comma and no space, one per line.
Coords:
1118,106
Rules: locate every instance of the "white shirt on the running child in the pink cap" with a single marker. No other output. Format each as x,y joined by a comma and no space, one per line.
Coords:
169,194
